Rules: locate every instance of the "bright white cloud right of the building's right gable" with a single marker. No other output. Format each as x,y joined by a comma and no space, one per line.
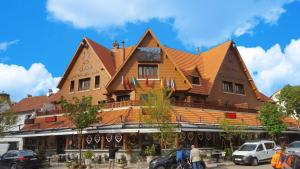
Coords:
275,67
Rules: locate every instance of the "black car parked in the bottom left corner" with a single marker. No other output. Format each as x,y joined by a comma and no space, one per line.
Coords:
20,159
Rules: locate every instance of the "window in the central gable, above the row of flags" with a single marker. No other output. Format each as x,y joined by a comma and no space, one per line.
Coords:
142,66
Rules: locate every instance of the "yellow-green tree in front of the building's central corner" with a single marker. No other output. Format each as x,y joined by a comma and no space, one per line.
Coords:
157,111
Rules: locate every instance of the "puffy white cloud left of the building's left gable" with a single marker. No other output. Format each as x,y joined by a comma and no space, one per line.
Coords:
19,81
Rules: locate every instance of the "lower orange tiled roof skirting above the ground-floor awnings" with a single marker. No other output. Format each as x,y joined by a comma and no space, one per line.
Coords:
179,114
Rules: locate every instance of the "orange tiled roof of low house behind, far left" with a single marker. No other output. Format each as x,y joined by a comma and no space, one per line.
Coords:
30,103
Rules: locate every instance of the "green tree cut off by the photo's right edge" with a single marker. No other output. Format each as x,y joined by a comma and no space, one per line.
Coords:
289,100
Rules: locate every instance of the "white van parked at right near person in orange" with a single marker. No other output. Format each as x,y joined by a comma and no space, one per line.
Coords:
254,152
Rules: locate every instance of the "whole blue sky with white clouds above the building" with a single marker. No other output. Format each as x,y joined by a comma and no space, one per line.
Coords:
38,38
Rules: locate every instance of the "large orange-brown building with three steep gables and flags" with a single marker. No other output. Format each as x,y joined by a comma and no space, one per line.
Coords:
208,87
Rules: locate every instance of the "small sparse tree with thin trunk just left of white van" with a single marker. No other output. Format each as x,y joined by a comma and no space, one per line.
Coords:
230,131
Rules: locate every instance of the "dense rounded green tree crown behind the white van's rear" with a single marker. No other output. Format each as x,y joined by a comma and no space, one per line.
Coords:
271,115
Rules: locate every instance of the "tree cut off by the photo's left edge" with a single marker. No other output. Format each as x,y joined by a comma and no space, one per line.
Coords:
7,117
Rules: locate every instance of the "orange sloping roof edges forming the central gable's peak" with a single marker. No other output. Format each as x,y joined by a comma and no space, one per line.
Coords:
148,31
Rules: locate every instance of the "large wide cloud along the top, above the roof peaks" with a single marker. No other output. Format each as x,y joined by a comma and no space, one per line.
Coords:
197,22
